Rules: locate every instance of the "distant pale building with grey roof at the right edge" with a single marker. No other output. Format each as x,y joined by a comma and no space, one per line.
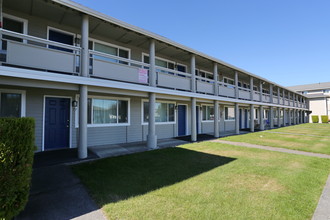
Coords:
318,96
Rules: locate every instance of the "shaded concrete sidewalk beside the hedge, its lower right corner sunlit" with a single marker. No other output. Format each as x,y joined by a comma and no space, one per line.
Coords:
57,194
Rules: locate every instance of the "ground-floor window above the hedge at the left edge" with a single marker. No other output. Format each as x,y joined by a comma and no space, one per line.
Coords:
12,103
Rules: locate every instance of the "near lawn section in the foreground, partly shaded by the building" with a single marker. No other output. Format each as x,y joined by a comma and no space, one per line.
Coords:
206,181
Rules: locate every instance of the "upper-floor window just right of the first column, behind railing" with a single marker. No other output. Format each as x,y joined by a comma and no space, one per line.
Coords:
111,50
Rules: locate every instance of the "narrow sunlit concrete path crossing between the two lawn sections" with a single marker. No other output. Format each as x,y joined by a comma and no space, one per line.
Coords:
278,149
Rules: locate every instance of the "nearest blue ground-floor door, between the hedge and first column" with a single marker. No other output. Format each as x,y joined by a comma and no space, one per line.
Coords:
57,123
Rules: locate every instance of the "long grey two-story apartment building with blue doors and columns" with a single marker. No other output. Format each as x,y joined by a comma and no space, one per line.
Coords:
89,80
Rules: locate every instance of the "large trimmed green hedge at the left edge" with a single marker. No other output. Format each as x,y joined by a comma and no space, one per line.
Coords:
16,158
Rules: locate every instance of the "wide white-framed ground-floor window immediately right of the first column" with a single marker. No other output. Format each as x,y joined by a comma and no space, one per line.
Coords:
107,111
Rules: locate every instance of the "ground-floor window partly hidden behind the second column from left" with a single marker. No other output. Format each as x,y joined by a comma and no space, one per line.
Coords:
164,112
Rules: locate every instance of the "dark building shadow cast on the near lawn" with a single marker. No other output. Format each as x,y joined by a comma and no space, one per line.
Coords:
118,178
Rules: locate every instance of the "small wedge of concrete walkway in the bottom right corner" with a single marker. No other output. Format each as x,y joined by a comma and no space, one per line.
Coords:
322,211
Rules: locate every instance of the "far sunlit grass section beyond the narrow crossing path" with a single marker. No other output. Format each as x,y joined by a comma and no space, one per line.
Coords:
297,137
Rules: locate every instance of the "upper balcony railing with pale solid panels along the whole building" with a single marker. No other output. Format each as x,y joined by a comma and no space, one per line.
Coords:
20,50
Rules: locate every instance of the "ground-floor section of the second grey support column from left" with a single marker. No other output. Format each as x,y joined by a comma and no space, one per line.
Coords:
151,137
